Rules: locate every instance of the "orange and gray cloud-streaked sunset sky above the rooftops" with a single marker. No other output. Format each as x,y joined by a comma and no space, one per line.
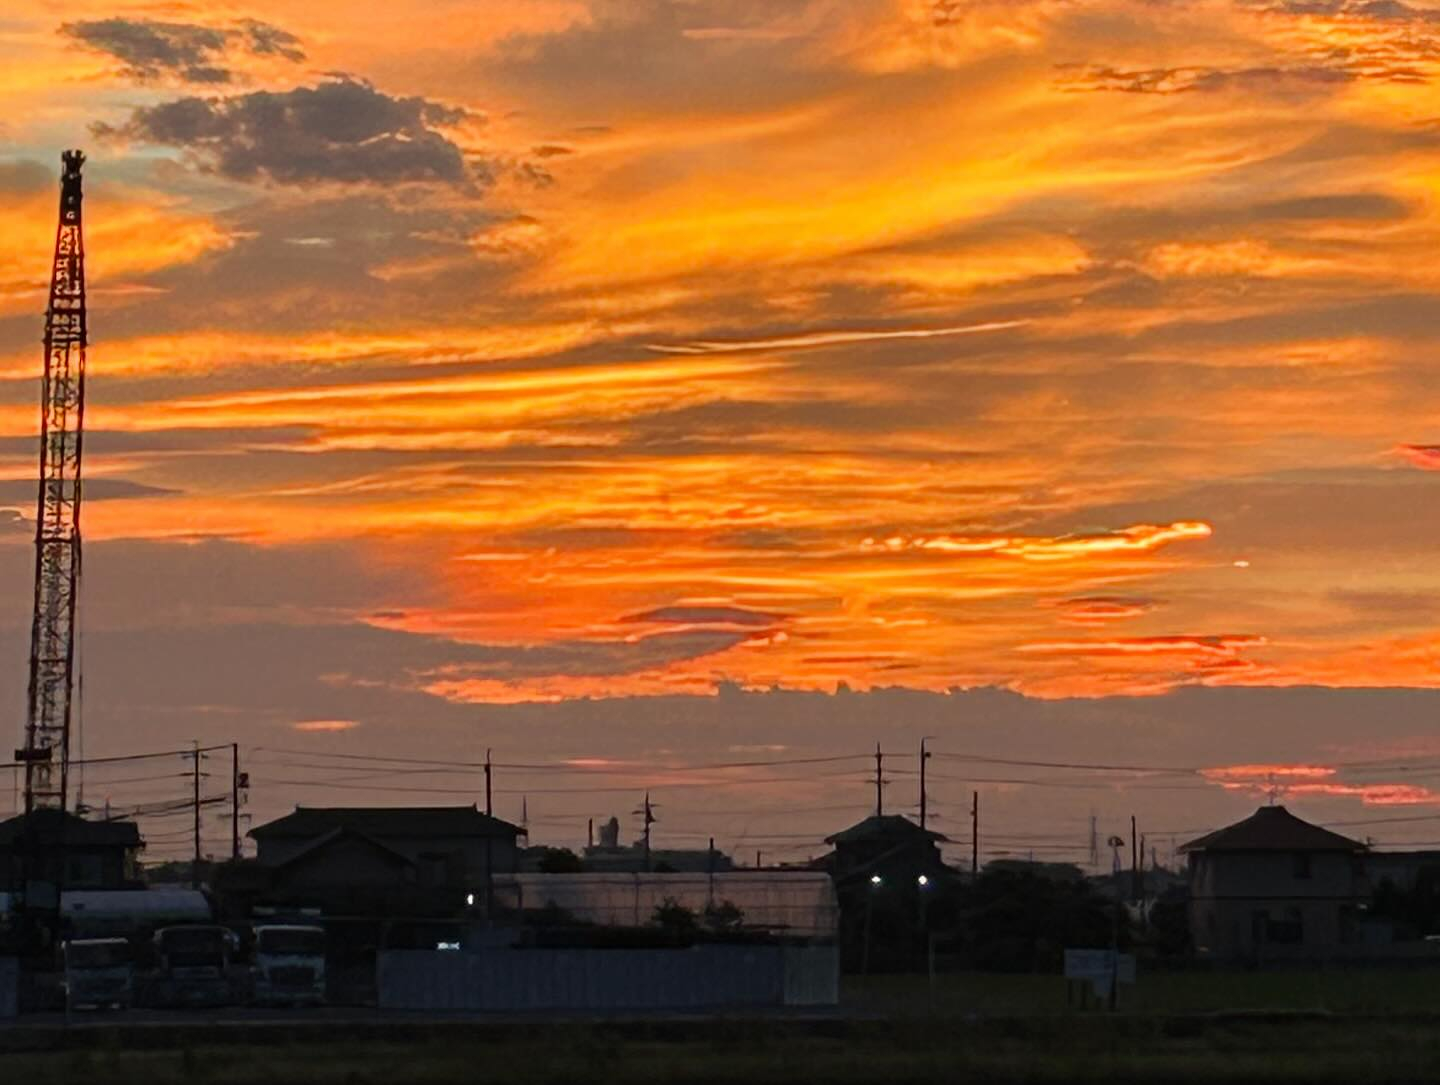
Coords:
621,378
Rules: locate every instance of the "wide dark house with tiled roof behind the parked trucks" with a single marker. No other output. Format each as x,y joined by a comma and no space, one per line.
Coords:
378,861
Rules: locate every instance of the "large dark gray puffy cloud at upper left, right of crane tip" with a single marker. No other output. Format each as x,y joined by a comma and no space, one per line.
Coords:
341,130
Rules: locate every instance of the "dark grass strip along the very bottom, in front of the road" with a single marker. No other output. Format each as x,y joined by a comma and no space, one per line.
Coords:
1038,1051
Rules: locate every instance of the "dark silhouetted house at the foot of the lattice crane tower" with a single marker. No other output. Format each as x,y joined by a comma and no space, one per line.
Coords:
68,852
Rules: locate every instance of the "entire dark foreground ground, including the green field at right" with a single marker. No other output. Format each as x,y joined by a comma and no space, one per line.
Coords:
1279,1028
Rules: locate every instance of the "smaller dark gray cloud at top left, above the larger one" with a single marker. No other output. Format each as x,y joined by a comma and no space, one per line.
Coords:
150,50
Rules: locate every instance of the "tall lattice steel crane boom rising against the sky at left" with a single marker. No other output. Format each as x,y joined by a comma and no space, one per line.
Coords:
58,511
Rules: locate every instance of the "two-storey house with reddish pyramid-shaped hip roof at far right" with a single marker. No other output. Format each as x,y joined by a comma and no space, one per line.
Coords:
1274,887
